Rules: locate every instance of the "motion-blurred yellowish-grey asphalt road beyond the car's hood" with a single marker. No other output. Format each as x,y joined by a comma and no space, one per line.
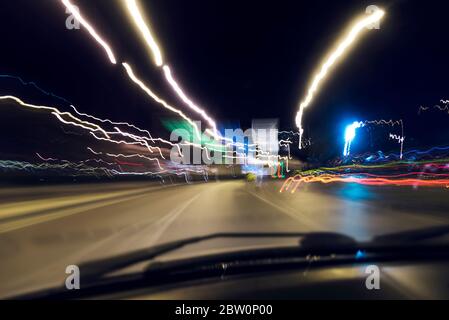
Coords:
44,229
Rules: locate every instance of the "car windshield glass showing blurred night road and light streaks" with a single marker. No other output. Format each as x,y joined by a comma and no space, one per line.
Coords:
130,124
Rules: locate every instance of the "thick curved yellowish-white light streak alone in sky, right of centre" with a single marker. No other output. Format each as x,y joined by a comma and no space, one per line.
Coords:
343,46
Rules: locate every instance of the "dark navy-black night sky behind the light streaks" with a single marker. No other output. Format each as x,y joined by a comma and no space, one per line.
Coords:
240,60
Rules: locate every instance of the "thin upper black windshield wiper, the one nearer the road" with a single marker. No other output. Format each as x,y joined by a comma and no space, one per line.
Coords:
99,268
